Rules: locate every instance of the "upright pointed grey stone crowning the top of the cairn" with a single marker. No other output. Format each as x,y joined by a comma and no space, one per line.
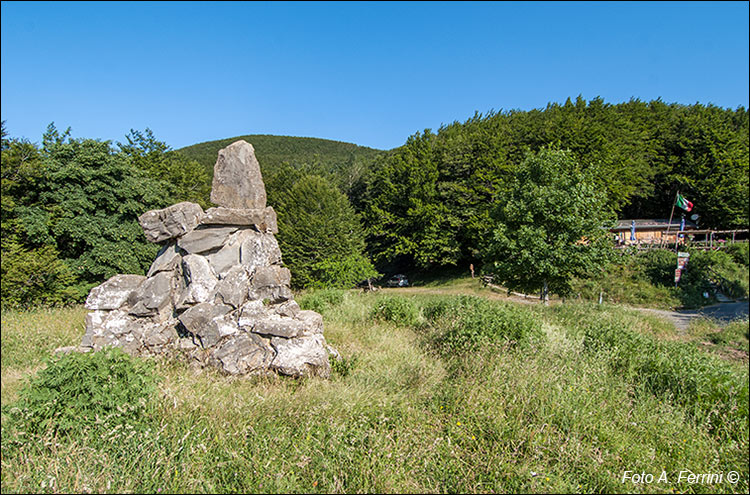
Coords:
237,181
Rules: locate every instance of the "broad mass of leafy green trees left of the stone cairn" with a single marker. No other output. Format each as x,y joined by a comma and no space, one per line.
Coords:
70,214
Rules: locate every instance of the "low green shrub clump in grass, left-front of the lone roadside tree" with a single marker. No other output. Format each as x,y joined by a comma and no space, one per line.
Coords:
466,323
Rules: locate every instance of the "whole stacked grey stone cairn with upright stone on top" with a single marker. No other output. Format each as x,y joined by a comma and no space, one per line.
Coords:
217,292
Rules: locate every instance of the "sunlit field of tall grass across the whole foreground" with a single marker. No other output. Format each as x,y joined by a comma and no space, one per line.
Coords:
436,392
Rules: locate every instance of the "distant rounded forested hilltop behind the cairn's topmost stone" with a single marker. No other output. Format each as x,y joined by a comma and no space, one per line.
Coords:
276,150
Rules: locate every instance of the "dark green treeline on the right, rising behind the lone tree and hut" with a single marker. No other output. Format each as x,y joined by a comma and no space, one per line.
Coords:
427,202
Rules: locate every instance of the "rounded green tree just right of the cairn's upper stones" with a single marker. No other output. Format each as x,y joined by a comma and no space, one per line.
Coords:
321,235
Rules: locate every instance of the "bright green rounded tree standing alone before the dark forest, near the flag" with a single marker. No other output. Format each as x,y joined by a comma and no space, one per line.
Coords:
549,227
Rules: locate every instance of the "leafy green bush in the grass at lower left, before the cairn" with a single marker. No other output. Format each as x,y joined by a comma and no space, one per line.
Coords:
84,392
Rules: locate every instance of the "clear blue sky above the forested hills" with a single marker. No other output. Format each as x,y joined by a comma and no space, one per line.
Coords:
361,72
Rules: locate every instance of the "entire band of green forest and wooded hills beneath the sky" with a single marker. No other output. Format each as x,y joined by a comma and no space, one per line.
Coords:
70,206
